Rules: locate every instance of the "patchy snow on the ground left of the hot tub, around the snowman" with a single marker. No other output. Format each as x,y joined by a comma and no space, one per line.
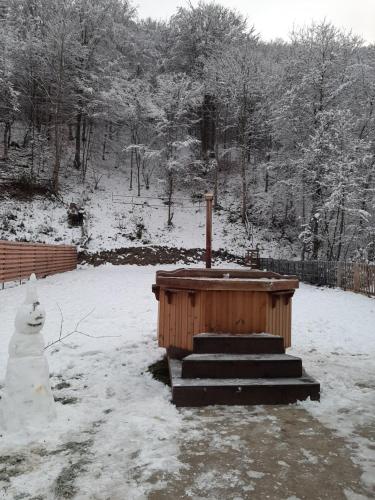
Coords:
117,403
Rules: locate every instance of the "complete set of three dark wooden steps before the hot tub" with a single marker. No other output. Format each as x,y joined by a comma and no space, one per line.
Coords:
227,377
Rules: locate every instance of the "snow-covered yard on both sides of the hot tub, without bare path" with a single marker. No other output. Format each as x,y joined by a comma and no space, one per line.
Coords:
116,428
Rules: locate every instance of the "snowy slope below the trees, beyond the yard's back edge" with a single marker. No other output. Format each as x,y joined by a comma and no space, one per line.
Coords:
119,218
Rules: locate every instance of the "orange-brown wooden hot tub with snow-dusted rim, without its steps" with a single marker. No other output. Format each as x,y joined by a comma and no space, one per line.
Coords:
195,301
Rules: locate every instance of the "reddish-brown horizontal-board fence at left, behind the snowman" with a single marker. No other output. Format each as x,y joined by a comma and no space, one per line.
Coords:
19,260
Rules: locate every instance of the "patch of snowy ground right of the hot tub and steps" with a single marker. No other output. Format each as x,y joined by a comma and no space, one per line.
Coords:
333,332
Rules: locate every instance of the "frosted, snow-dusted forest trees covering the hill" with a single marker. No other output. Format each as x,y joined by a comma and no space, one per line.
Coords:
286,130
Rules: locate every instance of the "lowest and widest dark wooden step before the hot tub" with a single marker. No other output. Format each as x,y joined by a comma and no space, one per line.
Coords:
237,391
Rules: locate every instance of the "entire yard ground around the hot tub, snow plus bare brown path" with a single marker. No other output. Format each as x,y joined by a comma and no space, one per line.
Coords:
118,436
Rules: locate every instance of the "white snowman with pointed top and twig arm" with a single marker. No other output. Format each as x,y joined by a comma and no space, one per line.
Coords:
27,400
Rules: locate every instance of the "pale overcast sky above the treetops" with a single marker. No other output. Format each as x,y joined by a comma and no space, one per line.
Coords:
275,18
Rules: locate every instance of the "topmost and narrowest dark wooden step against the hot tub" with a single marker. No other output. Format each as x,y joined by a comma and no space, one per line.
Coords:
258,343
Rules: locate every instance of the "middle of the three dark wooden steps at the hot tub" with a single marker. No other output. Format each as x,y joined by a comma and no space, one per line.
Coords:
223,365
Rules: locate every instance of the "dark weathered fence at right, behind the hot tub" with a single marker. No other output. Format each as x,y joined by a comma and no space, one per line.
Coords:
347,275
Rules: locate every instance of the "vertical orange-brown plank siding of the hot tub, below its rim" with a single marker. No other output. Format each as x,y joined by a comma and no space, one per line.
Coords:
249,312
